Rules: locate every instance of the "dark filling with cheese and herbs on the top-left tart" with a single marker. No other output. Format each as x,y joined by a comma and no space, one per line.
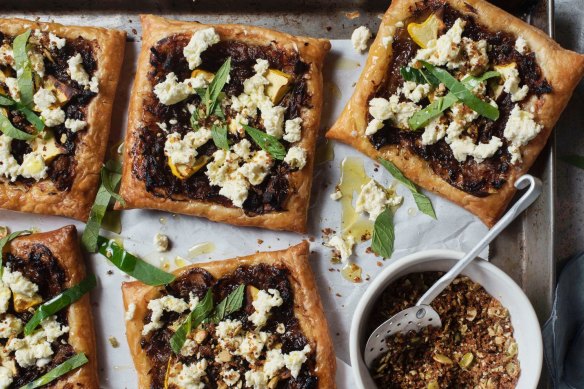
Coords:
46,84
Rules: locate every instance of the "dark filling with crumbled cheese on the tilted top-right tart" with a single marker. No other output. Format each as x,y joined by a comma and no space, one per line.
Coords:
458,95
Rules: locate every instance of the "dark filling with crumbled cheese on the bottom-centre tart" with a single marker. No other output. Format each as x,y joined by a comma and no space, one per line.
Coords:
256,343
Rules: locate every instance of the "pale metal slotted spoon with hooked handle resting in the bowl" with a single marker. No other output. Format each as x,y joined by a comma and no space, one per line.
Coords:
422,314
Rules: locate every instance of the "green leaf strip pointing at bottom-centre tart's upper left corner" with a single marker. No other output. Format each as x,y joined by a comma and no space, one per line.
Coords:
132,265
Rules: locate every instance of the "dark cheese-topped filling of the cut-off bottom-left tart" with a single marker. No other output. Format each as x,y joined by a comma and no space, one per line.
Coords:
26,283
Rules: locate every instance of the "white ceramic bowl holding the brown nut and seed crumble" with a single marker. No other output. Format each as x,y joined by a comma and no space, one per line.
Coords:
527,332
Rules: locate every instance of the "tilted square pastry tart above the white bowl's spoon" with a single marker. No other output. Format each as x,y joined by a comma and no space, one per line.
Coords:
461,97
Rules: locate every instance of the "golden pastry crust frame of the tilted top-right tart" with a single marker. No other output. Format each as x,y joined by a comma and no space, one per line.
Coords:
562,68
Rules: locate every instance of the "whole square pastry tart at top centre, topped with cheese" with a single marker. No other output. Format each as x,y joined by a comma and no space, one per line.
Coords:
238,148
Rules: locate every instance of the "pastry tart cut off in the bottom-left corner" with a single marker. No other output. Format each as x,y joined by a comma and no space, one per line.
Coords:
37,268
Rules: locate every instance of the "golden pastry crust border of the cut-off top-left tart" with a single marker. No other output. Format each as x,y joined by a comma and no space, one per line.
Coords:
43,197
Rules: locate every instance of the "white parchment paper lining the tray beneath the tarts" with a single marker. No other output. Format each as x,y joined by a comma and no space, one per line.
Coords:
454,229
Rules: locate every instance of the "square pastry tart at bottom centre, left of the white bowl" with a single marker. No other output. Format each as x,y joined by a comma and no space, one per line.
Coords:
277,337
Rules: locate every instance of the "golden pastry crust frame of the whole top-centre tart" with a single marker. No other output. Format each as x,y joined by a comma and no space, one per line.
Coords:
312,51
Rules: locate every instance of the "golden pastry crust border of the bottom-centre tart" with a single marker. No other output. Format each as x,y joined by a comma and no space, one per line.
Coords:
307,307
